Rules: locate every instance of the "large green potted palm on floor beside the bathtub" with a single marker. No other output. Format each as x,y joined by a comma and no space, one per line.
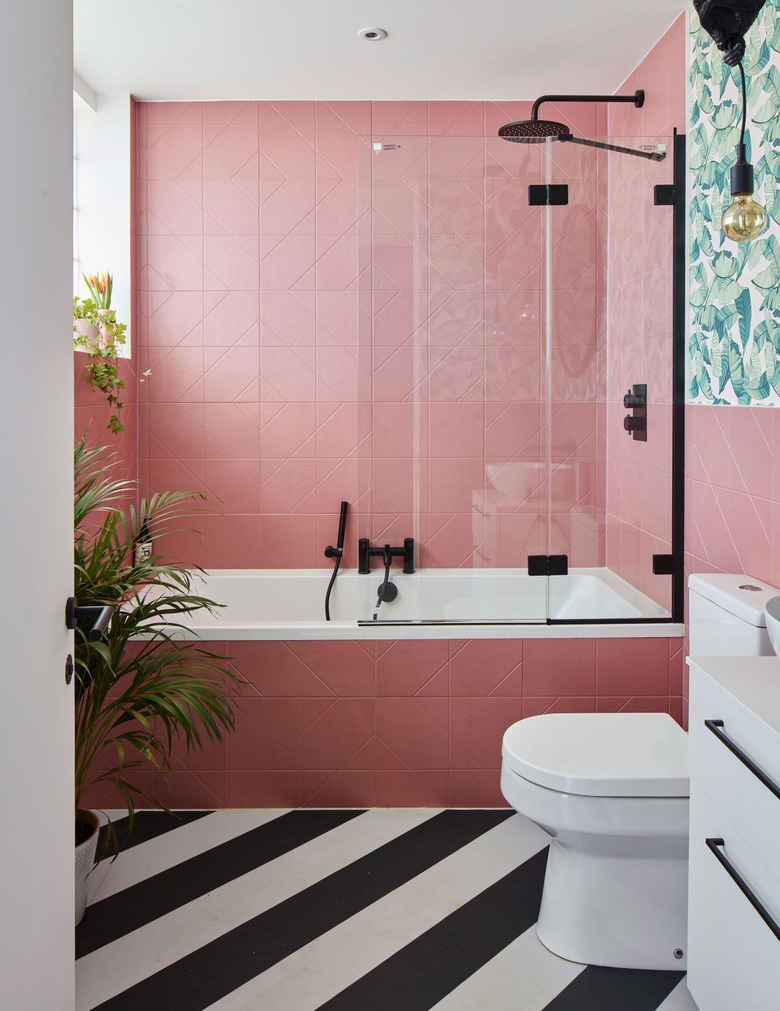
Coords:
139,689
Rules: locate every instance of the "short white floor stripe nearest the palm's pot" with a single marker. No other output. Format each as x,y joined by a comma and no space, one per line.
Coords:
171,849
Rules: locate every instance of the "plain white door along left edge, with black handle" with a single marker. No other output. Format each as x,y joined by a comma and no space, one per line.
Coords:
37,830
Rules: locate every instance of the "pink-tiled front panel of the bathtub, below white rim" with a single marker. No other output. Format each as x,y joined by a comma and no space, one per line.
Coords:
404,723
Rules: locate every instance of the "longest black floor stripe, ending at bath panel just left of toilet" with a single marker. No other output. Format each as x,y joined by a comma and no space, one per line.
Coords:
215,971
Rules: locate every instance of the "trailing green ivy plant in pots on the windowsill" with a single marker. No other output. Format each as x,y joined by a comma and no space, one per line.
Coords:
99,333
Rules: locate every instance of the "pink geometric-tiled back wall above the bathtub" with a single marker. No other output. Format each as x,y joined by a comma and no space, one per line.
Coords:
324,323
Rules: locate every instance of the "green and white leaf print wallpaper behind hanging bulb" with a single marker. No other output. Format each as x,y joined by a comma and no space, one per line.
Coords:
735,298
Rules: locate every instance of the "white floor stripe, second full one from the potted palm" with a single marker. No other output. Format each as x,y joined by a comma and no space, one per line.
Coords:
113,969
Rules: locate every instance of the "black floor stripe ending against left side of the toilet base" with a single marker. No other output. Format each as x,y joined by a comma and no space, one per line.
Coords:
426,971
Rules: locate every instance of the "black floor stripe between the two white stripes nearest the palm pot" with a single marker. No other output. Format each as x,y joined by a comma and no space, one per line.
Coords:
130,909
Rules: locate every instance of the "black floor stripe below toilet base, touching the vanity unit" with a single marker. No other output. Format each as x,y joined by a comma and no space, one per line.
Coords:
601,989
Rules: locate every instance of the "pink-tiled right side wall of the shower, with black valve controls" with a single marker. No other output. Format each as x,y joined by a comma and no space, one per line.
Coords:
640,320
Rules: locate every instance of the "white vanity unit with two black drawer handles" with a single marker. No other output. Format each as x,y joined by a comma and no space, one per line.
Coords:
734,892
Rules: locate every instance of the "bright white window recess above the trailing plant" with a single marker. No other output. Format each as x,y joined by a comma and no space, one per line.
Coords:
104,196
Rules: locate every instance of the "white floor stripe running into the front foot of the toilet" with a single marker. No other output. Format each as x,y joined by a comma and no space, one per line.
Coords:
525,977
